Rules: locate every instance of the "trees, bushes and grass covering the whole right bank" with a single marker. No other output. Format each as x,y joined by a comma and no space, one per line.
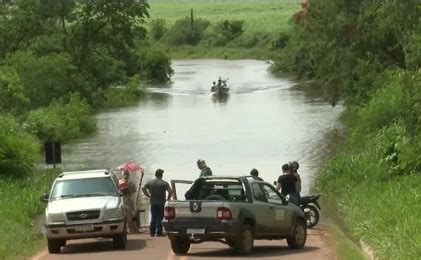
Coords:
367,53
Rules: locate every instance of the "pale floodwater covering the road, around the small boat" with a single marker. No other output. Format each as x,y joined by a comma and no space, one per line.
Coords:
265,122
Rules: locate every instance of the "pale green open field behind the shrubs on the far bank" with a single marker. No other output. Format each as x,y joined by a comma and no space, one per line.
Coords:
259,15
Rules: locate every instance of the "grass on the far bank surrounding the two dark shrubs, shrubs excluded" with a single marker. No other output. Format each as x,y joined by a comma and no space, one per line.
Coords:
264,21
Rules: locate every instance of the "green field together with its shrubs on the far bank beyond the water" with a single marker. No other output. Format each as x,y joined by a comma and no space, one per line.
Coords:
246,29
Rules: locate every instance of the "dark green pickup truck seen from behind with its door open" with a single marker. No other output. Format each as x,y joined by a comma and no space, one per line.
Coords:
234,211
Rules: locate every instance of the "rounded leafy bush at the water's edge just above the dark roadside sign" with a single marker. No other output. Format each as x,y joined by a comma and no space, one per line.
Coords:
62,120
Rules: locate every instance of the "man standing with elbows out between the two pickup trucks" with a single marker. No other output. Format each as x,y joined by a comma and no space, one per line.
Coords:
156,190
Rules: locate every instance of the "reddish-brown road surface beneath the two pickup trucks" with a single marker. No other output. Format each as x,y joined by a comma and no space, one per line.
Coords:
143,246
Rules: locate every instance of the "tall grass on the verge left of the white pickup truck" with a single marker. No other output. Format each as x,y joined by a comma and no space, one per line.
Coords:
20,208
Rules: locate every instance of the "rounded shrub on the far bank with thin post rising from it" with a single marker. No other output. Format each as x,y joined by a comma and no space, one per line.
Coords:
184,32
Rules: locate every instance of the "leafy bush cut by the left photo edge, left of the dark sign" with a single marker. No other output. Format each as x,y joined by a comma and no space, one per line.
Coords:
18,149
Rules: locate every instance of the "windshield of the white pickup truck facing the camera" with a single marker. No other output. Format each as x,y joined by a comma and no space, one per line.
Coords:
83,188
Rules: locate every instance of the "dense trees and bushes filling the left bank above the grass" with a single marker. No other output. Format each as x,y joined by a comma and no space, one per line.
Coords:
60,58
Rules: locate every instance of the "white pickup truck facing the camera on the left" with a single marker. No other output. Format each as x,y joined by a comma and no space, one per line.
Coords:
84,204
